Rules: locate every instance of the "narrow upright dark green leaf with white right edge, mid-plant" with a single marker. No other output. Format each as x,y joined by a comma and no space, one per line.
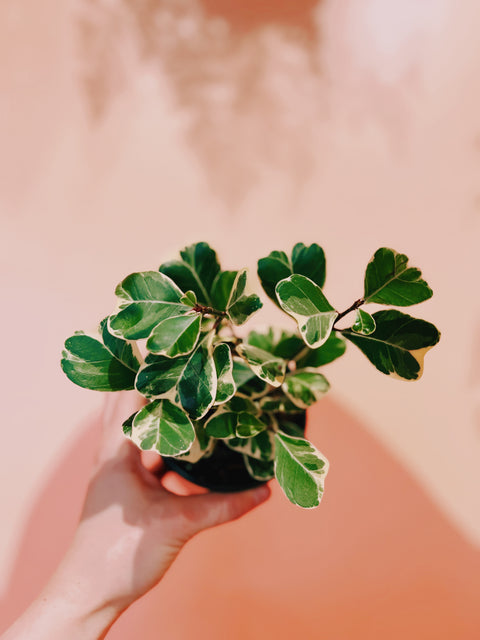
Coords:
197,385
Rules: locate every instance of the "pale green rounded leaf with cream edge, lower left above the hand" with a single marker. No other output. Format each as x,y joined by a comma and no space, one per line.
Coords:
162,427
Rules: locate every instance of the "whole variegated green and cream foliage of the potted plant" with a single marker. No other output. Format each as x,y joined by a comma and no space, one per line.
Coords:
206,387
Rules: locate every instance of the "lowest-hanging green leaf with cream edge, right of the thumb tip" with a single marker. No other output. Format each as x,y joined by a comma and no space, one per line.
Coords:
300,470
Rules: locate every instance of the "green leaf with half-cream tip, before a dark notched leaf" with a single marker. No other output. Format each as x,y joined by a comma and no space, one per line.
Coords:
304,301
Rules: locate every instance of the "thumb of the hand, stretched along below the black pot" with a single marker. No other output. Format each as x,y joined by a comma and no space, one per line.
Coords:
211,509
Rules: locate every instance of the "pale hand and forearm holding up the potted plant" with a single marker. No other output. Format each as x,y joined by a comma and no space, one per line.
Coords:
130,531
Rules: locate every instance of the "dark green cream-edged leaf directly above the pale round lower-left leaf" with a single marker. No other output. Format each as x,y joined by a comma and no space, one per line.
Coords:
159,375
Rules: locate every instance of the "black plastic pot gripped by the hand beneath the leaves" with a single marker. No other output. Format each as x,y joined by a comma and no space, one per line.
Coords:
224,471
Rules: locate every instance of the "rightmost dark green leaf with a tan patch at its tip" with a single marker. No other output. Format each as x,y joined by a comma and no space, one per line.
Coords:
398,345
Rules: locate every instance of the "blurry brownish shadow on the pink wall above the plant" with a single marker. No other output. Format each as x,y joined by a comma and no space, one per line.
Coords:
244,78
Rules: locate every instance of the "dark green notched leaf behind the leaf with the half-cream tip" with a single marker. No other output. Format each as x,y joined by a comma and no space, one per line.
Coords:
307,261
